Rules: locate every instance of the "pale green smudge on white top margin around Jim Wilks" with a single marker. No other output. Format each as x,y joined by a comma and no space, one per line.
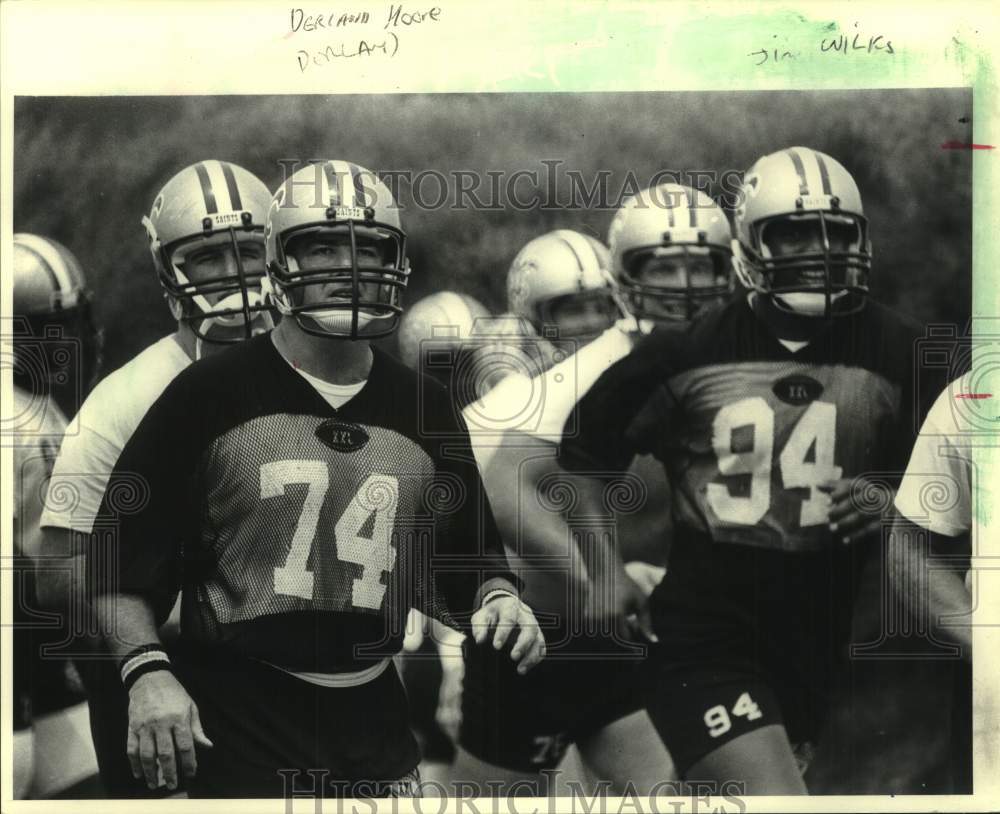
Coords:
647,49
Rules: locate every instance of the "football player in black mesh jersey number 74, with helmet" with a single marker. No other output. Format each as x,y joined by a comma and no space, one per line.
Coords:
301,495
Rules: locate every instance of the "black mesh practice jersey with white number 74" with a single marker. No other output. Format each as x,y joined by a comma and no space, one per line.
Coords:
301,533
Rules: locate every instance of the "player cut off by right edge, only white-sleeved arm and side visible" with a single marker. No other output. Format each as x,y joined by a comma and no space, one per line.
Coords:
934,522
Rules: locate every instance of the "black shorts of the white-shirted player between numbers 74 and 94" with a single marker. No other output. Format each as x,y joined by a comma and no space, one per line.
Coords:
526,723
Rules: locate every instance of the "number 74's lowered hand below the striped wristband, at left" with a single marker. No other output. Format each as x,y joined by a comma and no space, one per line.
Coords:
163,728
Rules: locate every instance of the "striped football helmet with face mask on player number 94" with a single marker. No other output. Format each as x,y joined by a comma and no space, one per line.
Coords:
802,237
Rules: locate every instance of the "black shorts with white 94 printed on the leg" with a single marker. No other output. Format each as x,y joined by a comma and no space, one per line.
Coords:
748,638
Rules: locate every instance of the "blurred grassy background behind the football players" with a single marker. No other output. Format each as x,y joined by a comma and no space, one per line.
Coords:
86,169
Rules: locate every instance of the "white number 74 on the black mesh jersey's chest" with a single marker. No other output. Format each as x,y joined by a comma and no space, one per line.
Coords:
379,494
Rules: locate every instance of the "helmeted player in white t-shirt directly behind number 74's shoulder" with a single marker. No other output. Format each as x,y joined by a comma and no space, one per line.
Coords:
206,237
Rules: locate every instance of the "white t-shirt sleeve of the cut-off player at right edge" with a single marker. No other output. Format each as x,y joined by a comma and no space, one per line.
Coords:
936,491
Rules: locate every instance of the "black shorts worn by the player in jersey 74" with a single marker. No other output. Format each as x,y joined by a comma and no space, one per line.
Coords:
276,735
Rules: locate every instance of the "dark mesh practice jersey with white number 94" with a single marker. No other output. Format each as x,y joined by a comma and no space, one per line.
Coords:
748,429
